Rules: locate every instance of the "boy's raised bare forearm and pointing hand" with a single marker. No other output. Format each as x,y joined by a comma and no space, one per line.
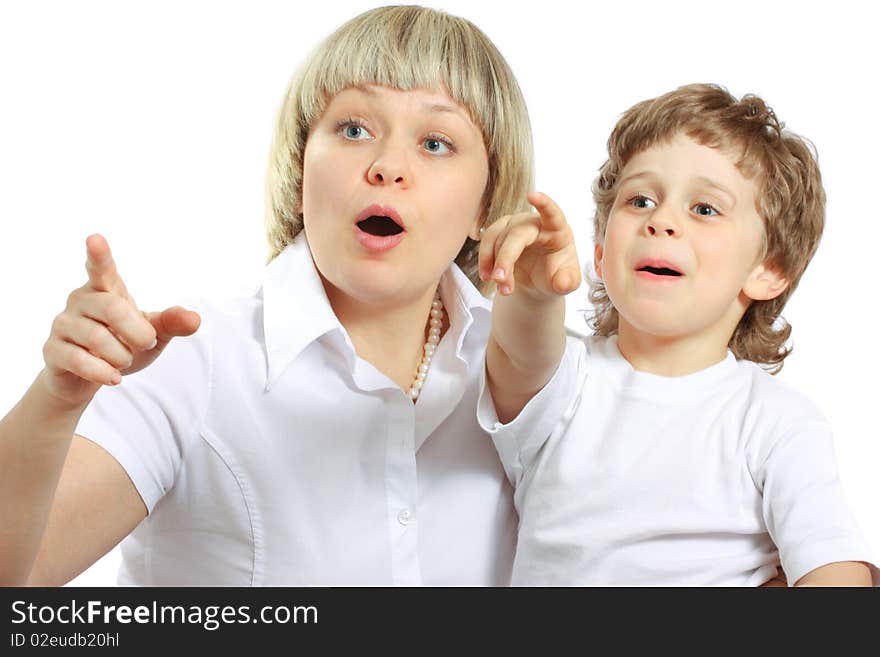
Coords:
532,259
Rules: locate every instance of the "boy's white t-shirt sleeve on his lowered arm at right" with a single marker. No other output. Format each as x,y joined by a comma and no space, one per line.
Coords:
804,505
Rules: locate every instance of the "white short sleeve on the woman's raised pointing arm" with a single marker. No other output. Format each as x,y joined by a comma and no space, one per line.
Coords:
147,421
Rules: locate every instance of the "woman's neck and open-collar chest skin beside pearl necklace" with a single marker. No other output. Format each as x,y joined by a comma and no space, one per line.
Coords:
390,337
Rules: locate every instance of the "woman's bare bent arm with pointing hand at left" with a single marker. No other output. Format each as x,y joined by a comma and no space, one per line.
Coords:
63,501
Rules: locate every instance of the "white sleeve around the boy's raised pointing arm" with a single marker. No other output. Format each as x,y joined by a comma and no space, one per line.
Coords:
519,441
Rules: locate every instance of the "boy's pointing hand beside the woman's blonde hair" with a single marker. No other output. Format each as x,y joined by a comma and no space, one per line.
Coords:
533,250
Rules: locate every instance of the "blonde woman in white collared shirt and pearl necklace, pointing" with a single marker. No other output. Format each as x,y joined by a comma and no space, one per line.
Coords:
291,439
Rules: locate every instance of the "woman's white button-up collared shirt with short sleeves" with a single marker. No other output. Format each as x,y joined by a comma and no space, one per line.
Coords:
268,453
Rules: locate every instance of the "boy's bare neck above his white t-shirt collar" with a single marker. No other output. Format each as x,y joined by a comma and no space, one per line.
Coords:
670,356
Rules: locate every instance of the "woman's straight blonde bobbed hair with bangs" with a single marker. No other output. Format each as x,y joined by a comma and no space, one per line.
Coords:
405,47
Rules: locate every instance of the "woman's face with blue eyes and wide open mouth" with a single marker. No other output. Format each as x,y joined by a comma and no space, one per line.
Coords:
392,185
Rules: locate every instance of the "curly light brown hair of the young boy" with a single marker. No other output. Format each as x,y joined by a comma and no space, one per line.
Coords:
790,197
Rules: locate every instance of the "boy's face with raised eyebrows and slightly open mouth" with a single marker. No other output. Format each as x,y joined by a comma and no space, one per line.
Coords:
682,251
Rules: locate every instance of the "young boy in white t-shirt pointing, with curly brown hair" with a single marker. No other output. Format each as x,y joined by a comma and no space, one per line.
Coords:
660,452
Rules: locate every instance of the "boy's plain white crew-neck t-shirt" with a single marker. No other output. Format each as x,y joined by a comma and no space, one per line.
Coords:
627,478
